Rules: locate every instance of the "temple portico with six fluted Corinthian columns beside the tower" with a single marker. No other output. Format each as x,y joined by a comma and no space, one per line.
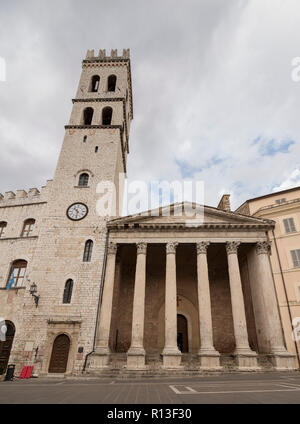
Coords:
160,268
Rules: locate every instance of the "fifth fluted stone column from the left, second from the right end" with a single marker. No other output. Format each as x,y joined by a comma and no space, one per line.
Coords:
245,357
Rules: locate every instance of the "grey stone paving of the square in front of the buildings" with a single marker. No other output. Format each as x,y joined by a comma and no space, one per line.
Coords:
271,388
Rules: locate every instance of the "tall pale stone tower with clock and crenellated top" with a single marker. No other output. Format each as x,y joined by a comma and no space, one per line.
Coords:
94,149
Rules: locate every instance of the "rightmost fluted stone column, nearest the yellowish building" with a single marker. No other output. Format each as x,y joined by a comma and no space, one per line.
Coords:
280,357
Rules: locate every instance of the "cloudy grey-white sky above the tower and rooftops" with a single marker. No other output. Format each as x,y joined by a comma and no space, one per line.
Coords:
214,98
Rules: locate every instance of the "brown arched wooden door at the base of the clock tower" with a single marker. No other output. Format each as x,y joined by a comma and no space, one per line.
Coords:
60,354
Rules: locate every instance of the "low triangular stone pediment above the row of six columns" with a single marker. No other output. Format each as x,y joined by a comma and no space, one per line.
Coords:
188,213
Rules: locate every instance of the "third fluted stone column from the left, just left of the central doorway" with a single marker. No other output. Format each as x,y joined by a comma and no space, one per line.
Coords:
171,353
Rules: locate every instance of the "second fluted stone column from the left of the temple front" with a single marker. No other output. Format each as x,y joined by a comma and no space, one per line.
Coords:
136,353
